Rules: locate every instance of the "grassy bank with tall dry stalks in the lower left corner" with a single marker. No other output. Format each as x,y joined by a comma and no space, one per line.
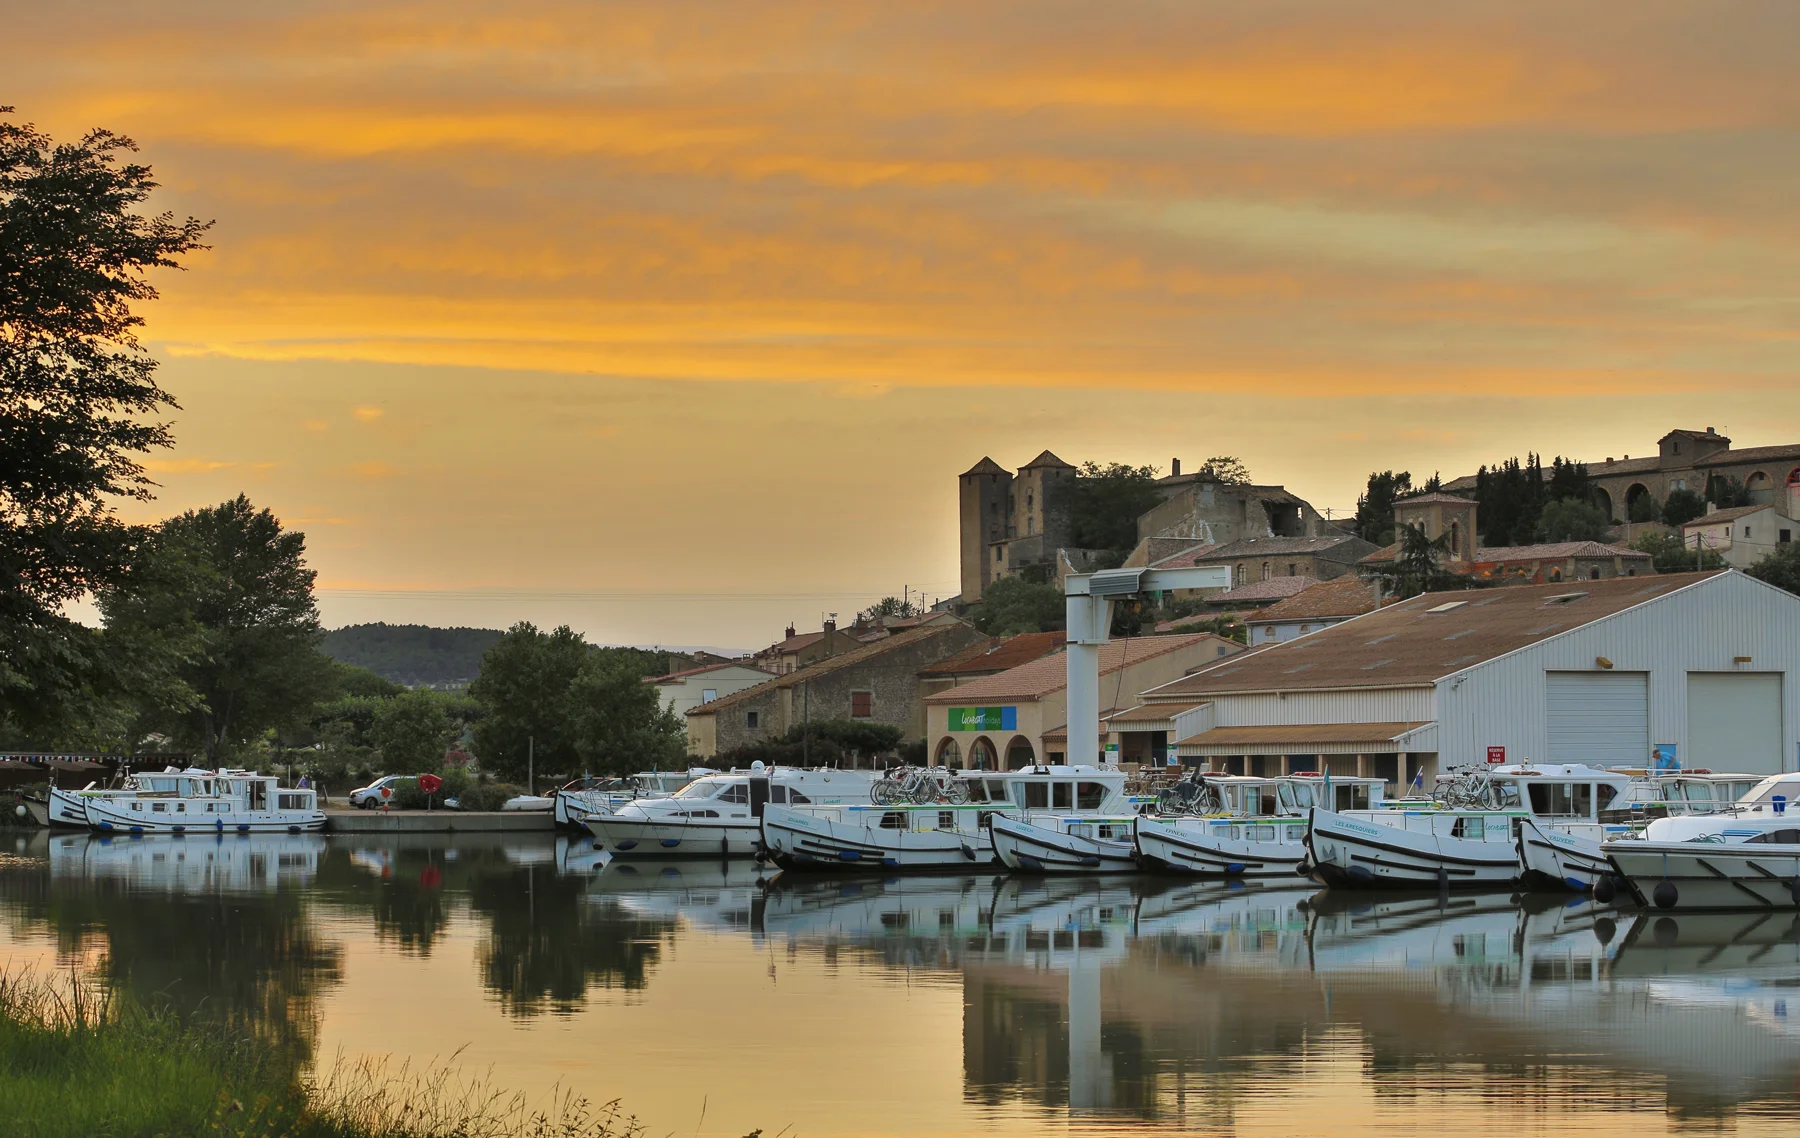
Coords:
76,1065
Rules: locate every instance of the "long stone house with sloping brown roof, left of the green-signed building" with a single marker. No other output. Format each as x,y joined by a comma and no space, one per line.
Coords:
876,683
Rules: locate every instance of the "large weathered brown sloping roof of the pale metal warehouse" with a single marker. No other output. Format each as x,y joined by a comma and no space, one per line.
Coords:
1408,644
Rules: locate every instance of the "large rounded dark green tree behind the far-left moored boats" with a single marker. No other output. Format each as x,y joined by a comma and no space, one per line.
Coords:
242,583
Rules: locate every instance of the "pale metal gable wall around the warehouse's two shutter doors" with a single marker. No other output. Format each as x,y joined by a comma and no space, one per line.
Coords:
1698,628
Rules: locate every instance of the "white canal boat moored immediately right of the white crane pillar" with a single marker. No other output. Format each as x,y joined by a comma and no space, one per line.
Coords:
1241,838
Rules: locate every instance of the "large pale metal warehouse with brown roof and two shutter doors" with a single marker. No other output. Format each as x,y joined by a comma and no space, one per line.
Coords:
1700,669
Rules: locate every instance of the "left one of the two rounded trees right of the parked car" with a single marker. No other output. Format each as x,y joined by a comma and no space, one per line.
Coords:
525,687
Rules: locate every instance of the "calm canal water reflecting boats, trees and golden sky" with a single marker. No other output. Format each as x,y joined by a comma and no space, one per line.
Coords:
714,1004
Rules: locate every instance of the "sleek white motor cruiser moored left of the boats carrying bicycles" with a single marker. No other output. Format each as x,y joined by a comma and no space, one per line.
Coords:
717,815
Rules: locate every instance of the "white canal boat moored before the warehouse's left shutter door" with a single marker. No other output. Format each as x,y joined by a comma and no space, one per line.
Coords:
1468,847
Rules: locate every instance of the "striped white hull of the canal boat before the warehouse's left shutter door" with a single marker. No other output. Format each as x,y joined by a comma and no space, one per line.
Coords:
1354,854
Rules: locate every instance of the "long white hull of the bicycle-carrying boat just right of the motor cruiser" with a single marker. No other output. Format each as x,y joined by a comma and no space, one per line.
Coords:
820,844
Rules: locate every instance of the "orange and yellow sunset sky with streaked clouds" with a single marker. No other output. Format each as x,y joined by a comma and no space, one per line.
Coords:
676,321
